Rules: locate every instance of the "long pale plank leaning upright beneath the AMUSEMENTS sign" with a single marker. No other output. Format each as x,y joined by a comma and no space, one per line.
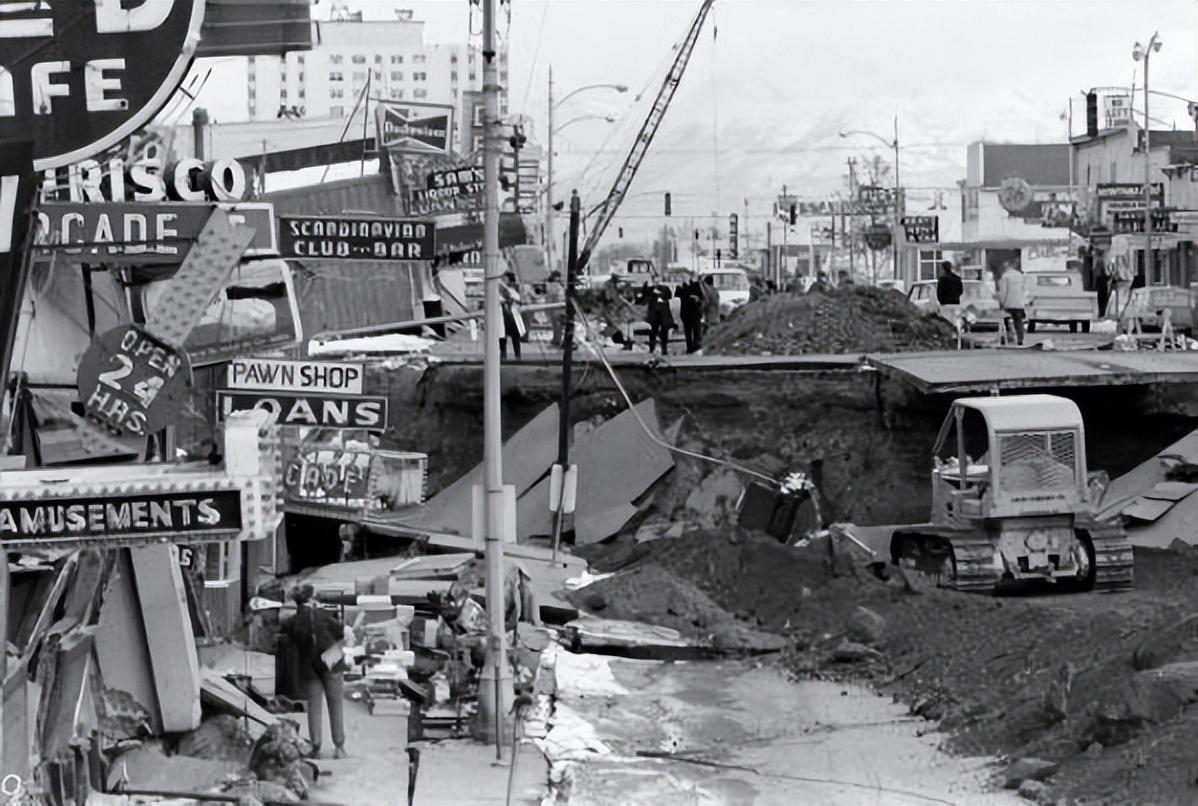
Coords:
170,639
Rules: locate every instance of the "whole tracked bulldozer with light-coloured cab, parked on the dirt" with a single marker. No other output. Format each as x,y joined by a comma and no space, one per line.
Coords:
1014,504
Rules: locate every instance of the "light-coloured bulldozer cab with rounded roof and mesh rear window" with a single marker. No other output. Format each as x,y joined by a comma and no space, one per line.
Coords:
1014,457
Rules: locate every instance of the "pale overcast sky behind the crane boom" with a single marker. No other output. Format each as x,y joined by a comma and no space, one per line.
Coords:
764,105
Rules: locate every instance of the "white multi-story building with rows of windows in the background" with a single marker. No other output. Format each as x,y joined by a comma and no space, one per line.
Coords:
359,56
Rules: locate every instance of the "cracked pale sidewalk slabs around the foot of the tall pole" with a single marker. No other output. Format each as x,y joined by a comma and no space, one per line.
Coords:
452,773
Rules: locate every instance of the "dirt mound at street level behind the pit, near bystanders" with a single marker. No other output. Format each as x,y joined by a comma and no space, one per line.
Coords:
857,319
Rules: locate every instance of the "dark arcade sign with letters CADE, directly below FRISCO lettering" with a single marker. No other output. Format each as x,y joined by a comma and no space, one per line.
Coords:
141,233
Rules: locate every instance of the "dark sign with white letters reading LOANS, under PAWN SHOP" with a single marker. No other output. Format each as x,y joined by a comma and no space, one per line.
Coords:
323,411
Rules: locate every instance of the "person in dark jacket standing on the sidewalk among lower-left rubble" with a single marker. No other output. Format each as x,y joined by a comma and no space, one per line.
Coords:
319,637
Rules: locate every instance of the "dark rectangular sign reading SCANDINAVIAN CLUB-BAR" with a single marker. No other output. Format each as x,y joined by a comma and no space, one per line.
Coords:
342,238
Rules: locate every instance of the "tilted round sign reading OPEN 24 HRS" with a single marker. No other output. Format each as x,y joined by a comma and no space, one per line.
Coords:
134,383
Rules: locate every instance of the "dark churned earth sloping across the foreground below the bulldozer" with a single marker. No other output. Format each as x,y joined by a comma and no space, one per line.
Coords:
1098,683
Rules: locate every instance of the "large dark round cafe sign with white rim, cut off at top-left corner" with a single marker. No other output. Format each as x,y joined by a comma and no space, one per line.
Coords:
84,75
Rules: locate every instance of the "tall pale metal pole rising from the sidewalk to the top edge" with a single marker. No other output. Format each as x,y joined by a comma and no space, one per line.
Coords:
497,700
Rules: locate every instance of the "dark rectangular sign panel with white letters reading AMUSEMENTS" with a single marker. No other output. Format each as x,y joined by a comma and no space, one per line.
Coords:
62,520
